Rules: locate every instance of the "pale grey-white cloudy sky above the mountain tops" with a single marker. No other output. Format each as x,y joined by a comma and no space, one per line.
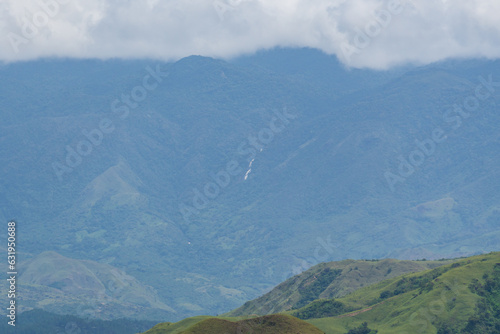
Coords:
362,33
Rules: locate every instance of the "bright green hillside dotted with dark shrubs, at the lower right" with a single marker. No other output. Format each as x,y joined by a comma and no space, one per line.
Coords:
462,297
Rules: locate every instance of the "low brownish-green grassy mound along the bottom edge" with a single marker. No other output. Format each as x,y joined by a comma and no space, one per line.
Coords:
272,324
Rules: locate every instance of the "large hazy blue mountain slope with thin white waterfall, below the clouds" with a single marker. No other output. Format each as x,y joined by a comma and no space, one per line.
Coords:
319,176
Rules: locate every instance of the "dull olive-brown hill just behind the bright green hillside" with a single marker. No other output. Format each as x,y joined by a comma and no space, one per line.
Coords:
329,280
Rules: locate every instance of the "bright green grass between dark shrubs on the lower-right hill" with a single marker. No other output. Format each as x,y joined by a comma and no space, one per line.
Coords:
416,311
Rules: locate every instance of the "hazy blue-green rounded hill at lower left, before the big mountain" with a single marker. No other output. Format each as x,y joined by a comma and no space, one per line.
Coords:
86,288
